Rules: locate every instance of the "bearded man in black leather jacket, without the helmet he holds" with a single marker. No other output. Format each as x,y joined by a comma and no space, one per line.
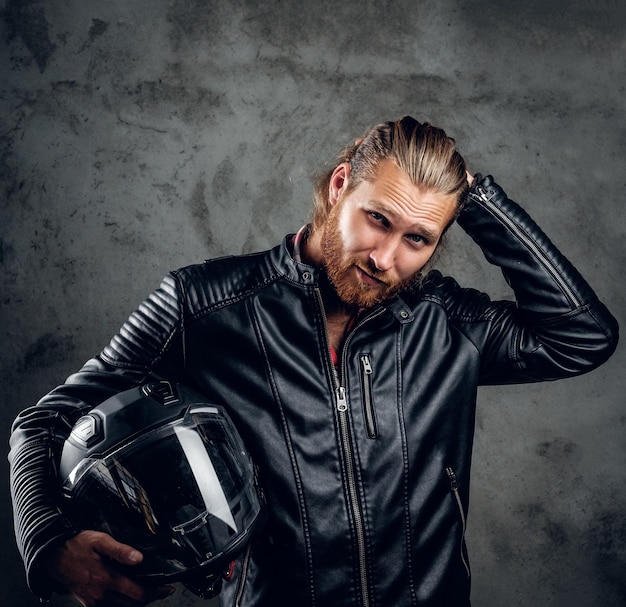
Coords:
350,371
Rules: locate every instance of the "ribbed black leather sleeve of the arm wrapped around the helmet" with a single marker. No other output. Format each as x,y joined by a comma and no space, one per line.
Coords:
147,347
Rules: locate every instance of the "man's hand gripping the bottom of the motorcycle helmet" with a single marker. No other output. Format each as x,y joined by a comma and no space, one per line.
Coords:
80,565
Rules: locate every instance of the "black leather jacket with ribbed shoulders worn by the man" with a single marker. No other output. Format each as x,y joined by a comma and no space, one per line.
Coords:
366,473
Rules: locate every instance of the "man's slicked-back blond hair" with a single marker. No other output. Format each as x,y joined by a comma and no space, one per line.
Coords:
424,152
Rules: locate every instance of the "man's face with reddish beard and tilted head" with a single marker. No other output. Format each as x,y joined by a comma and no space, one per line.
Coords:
378,237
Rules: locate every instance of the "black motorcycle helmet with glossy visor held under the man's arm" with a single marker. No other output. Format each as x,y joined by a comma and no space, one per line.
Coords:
160,469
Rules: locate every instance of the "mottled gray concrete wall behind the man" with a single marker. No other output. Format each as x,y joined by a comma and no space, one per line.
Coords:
138,136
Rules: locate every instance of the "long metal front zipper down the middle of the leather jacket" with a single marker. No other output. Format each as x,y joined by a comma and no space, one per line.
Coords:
345,439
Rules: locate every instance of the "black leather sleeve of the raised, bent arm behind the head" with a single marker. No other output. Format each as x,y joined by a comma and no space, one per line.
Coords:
557,327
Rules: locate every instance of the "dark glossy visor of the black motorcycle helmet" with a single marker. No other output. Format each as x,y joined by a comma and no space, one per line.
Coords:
184,494
